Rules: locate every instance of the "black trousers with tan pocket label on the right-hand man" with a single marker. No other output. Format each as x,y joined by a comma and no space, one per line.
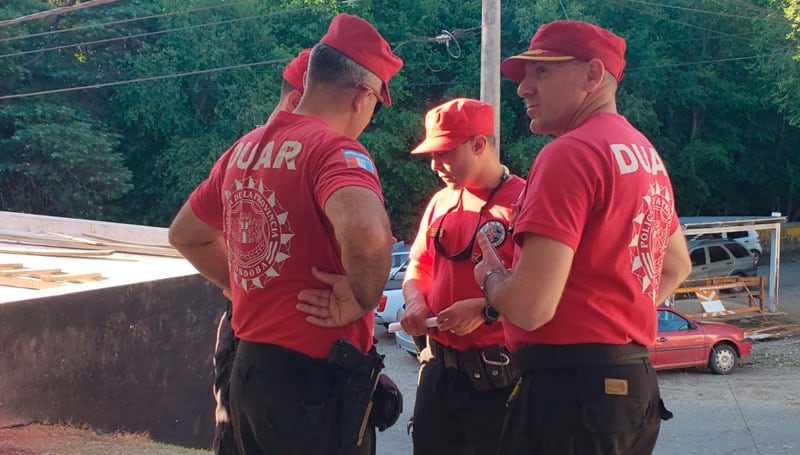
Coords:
586,408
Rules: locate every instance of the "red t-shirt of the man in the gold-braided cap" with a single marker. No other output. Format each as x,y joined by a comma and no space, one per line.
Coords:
603,190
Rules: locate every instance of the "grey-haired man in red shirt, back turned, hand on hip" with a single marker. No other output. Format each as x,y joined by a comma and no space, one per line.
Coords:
288,199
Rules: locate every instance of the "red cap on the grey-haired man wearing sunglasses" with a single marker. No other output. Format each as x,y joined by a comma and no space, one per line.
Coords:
358,40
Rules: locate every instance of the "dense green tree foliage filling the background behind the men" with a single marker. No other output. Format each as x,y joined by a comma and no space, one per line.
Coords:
712,83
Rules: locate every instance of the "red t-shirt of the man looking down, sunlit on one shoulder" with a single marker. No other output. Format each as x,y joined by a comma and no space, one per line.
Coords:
454,280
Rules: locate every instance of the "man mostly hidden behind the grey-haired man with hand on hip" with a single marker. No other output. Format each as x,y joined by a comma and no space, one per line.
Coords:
292,88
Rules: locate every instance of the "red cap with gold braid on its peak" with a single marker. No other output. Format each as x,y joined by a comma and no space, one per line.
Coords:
570,40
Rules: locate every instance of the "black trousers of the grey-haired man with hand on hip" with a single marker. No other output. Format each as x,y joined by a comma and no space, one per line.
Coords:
285,403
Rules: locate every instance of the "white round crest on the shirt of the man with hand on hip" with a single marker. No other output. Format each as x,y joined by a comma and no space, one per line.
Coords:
258,233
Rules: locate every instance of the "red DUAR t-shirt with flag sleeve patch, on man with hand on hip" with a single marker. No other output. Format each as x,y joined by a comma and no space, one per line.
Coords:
268,194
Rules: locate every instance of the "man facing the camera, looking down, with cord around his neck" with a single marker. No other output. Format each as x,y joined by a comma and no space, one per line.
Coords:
465,376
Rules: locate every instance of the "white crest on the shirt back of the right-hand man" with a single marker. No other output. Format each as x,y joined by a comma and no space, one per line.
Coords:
650,235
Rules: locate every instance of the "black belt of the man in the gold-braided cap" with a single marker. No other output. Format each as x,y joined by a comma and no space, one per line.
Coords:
551,356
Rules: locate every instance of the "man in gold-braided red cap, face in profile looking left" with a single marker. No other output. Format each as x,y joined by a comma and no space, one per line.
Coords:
599,247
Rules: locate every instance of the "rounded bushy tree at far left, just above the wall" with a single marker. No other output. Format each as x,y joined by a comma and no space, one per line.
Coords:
60,162
